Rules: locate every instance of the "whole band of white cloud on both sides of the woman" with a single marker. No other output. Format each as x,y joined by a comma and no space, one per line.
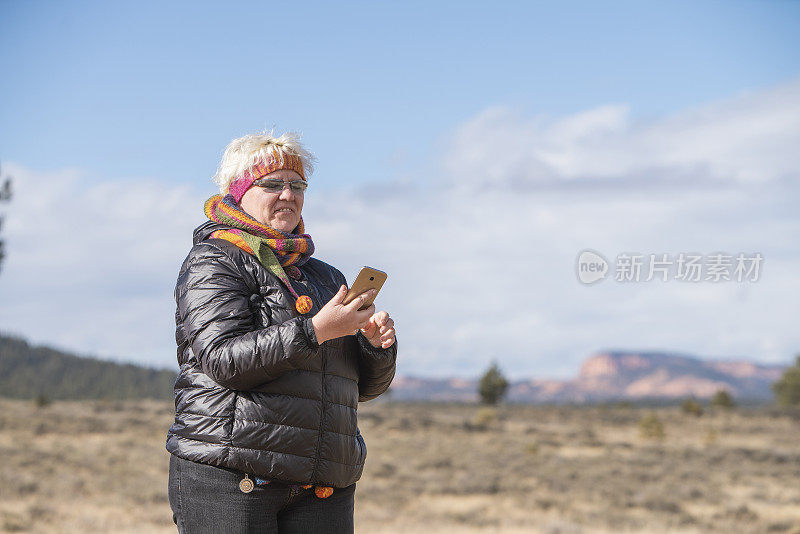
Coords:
481,264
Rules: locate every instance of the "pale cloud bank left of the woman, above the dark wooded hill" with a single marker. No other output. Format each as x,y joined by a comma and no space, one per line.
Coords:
91,266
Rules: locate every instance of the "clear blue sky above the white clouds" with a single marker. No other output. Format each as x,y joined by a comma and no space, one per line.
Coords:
152,89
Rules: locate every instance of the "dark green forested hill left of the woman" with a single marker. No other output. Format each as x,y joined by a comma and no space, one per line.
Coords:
27,371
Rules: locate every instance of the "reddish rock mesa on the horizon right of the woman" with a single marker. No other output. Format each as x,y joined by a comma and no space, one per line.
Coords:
616,375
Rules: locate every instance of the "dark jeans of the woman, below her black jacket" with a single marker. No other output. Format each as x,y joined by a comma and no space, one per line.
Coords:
206,499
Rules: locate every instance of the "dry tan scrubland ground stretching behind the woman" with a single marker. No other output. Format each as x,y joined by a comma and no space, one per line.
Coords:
102,467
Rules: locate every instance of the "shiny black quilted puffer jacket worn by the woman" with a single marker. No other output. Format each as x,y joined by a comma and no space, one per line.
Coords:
256,392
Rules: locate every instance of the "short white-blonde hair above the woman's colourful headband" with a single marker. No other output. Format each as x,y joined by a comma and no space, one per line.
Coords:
244,152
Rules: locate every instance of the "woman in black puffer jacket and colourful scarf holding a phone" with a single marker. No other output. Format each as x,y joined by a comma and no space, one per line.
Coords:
272,363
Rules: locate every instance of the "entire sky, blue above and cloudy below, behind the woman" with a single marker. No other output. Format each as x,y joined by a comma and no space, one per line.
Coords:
472,152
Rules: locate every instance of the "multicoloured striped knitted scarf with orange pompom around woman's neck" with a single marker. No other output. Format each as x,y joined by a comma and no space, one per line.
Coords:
279,252
